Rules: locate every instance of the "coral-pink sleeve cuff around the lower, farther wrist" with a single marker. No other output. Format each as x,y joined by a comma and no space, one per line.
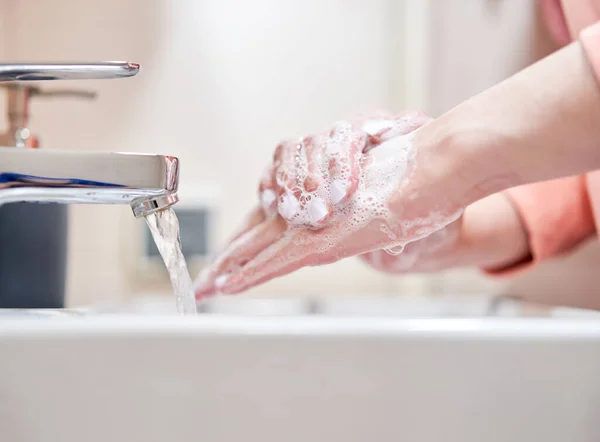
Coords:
556,215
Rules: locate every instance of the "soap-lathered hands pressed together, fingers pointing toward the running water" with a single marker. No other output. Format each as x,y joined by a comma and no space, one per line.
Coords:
358,187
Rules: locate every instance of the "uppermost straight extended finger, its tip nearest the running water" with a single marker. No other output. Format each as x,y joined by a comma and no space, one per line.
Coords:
241,251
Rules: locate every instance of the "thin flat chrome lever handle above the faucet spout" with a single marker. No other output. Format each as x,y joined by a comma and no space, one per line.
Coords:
67,71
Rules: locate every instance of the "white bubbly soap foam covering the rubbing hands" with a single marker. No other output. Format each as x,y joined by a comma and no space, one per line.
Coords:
375,154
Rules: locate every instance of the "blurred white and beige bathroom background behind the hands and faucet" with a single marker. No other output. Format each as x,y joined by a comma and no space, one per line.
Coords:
223,81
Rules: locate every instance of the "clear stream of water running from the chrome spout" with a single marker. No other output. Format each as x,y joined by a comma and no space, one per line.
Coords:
165,231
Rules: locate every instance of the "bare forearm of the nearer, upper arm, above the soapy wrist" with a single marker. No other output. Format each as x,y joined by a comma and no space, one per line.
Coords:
542,123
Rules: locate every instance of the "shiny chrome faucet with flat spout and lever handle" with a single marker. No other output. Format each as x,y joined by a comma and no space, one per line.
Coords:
148,183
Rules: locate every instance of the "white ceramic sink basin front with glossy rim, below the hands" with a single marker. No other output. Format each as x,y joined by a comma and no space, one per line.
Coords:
298,378
